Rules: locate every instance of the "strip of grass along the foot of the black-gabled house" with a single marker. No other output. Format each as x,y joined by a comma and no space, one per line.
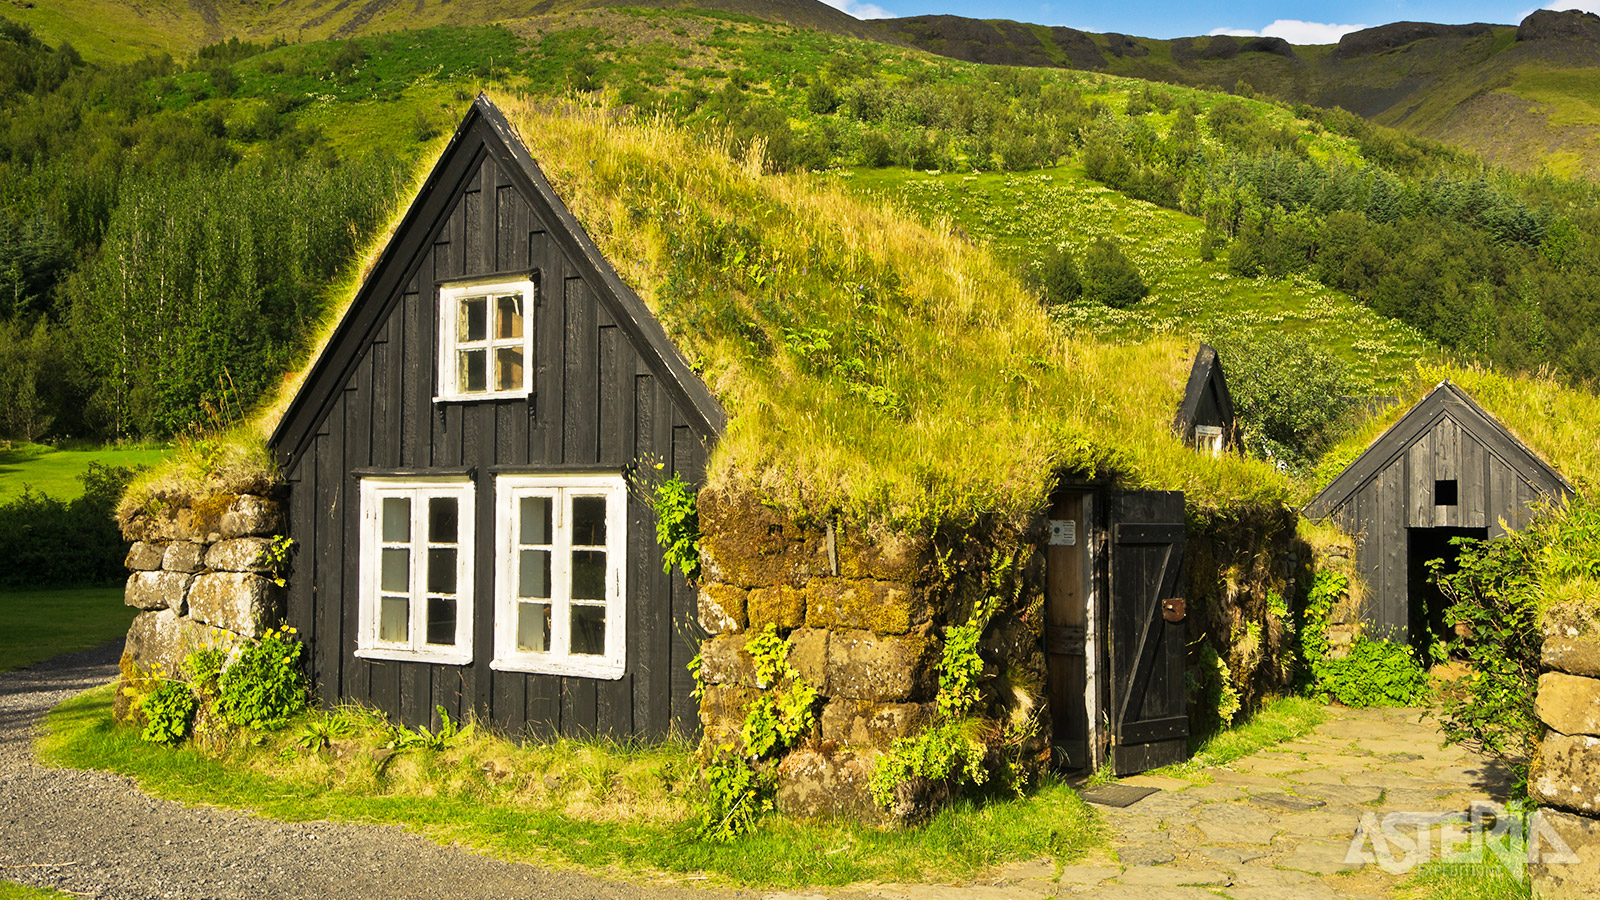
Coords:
588,805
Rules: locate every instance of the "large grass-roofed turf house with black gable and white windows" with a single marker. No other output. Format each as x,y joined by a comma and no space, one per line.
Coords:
916,507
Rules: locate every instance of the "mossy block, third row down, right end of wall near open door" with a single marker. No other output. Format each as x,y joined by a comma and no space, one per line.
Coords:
897,669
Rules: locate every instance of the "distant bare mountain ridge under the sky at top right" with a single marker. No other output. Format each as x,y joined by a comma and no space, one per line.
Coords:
1526,97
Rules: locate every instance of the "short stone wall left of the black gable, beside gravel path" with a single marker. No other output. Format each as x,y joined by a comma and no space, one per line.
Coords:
199,577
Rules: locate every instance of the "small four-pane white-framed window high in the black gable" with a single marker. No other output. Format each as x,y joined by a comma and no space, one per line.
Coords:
486,340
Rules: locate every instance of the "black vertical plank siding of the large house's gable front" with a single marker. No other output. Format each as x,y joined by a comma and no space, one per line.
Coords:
598,401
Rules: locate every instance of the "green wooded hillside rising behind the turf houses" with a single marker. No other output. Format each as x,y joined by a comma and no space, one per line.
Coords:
130,185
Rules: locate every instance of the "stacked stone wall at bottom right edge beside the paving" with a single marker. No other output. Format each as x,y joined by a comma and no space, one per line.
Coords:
1566,774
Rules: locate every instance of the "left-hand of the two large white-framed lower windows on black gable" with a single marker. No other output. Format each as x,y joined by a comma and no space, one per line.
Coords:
417,571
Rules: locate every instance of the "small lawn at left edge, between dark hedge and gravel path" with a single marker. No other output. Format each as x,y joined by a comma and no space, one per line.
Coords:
38,625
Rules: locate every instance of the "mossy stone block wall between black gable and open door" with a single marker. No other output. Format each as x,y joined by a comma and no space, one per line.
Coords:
865,614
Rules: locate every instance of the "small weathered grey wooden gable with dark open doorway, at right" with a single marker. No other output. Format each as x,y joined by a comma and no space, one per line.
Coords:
1446,470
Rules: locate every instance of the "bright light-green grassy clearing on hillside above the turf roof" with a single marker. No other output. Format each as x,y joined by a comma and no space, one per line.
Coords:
1026,212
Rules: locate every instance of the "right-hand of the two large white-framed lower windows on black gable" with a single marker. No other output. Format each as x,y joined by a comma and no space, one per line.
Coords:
559,584
